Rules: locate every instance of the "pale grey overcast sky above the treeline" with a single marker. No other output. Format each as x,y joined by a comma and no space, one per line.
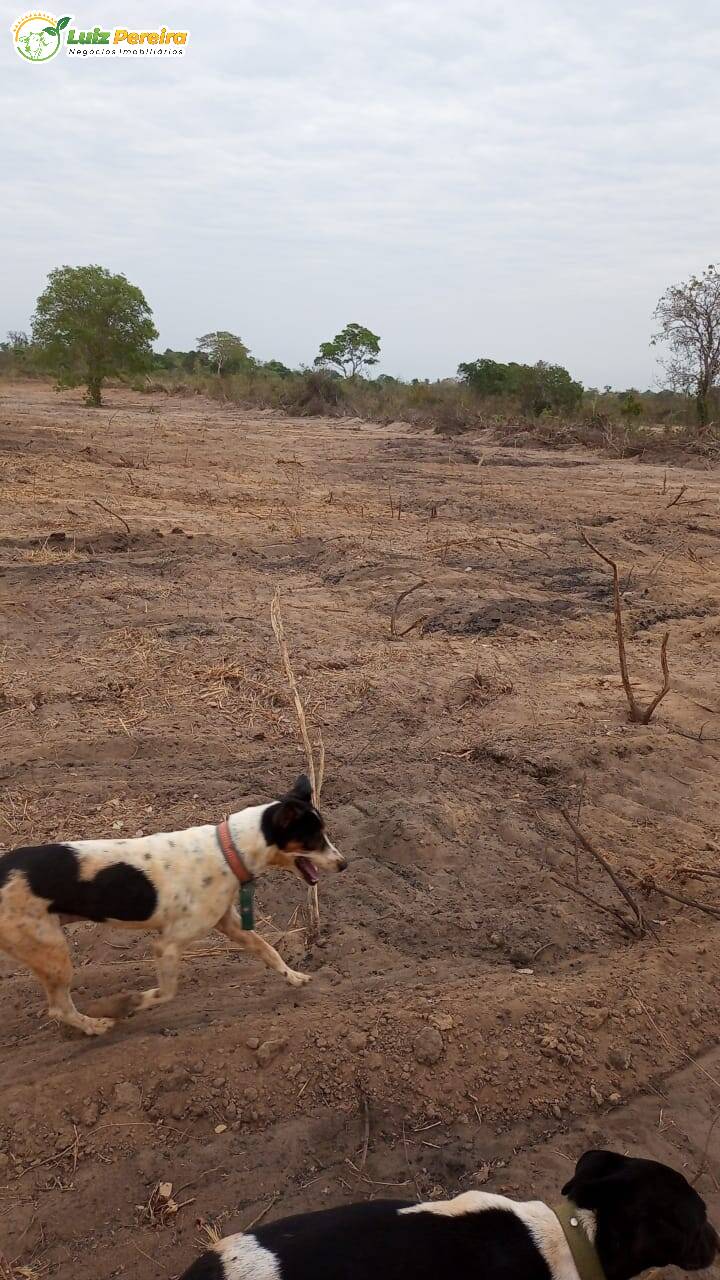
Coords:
467,177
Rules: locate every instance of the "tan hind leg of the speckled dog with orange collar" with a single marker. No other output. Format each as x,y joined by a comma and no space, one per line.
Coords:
40,944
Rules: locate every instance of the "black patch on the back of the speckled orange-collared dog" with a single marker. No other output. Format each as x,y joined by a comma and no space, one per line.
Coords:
117,893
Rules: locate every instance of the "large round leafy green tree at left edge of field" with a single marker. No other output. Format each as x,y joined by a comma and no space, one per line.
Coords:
90,326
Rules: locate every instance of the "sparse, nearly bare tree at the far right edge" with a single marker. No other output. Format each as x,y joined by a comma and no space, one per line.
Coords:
689,319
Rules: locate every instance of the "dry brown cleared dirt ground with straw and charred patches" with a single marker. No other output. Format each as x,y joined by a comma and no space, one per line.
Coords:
473,1020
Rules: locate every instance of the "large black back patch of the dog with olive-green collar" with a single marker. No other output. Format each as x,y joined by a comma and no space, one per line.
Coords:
358,1242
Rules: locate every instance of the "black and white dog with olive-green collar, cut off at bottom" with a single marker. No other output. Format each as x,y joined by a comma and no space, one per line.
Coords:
622,1217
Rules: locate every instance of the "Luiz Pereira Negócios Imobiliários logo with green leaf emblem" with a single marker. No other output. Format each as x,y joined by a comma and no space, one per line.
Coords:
39,38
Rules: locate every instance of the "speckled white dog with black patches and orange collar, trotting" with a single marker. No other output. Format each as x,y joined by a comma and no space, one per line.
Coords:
179,885
